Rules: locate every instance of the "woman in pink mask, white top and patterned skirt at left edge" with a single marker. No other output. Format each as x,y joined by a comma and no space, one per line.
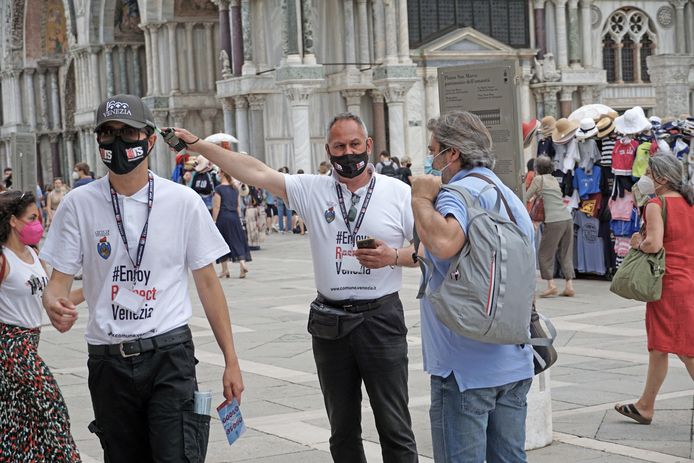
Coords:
34,422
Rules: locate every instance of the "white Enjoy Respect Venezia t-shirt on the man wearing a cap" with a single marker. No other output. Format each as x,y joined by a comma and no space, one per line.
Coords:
181,236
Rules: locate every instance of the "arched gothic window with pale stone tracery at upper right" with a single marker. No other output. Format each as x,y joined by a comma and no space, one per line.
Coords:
627,39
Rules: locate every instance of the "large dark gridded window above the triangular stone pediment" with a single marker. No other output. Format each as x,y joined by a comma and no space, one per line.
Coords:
505,20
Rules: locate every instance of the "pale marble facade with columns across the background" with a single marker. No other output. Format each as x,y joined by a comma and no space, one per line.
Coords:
288,66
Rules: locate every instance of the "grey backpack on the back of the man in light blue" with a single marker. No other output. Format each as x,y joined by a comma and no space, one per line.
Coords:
488,291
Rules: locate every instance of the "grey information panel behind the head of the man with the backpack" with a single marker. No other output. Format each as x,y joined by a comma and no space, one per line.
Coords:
490,90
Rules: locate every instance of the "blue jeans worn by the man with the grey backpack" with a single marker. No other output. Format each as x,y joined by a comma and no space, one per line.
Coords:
469,426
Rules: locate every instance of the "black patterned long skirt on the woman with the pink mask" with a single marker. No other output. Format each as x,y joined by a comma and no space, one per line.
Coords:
34,422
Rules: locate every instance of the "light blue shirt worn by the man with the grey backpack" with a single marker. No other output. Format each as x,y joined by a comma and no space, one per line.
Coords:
475,364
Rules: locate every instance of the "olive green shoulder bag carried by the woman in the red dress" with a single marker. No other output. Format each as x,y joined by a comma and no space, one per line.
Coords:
640,276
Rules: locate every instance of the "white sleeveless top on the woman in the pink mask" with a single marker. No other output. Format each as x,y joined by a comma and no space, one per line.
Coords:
20,293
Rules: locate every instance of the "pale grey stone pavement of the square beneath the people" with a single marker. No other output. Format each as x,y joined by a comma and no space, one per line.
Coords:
602,346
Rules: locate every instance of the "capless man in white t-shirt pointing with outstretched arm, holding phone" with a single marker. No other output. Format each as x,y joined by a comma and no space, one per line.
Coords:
357,319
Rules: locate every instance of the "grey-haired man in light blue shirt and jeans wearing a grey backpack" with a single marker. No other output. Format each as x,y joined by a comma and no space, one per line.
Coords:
476,298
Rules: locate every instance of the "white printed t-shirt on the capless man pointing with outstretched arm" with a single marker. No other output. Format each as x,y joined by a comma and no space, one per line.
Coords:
388,217
